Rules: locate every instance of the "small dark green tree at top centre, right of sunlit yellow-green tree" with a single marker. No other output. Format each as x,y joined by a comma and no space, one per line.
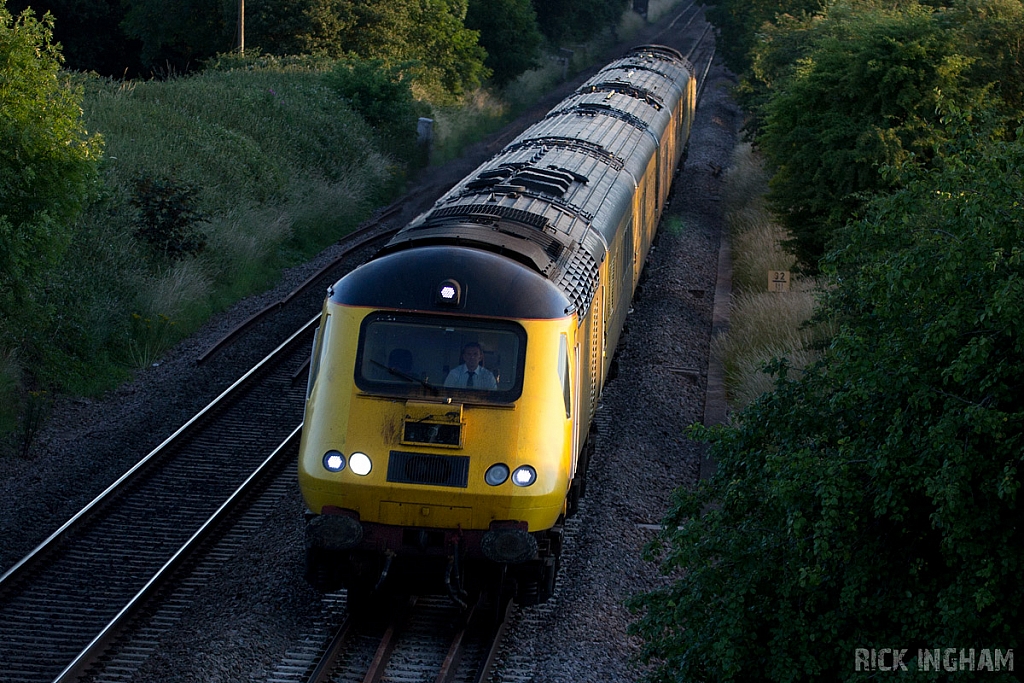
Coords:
510,35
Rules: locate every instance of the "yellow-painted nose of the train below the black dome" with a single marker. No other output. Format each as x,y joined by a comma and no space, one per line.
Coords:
491,459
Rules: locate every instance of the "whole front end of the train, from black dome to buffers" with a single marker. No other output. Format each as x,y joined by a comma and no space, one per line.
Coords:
440,428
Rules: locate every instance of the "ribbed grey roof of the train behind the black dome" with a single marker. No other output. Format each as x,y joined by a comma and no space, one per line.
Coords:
553,199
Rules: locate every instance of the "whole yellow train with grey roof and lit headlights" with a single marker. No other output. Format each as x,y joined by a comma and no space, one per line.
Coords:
455,376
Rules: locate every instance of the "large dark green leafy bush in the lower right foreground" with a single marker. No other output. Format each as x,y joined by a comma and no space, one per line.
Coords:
873,502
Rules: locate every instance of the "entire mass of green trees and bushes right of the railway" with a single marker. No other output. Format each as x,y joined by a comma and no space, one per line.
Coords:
872,502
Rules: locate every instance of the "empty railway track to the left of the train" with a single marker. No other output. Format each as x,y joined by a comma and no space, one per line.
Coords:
64,603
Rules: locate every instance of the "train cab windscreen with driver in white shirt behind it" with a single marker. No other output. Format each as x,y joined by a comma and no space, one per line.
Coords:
434,357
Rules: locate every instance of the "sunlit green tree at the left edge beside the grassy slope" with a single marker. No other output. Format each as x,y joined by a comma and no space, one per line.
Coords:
48,159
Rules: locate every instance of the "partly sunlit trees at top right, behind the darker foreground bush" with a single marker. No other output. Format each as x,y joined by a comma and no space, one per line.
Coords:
837,94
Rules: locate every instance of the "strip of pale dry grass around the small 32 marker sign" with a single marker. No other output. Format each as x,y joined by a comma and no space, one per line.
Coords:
763,325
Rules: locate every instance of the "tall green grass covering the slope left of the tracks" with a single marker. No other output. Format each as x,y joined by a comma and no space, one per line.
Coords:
282,167
